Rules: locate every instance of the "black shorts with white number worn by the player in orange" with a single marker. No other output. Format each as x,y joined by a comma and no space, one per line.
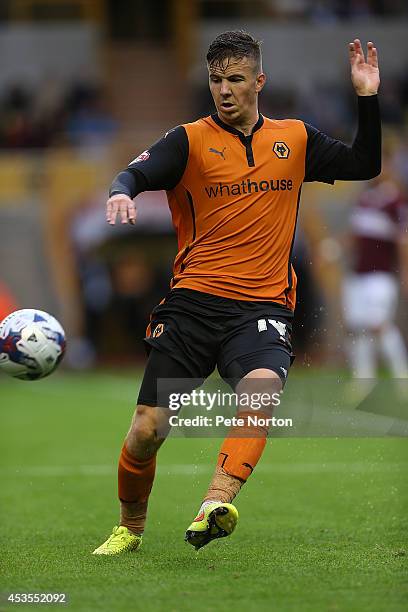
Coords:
194,332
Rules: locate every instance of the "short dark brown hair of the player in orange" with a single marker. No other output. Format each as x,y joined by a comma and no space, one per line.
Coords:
238,44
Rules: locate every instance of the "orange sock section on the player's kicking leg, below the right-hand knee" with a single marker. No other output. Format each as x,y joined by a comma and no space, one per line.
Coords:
243,448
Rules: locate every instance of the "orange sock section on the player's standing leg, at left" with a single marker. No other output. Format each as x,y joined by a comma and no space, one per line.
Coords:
135,478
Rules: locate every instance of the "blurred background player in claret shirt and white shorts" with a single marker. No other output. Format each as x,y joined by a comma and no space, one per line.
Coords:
379,248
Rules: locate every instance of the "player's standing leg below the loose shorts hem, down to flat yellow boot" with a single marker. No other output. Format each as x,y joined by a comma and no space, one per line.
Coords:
137,461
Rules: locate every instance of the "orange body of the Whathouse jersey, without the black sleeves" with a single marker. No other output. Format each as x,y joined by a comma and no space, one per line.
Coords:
236,222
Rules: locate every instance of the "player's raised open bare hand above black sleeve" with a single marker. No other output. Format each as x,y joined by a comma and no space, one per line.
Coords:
365,75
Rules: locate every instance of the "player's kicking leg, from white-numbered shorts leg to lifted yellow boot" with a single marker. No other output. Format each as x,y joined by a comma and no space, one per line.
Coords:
255,358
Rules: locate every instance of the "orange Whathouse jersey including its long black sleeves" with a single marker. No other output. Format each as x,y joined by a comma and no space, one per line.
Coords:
234,199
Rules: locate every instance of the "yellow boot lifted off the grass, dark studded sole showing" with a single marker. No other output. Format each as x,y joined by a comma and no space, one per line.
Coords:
216,520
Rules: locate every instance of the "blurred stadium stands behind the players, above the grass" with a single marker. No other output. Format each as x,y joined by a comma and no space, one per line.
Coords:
86,85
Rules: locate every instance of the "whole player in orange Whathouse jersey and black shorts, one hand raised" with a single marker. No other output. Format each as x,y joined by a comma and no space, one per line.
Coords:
233,183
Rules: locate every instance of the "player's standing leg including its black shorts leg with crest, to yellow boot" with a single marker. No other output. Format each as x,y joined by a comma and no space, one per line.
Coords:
184,340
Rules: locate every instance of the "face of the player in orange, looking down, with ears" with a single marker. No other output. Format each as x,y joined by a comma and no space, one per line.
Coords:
234,87
